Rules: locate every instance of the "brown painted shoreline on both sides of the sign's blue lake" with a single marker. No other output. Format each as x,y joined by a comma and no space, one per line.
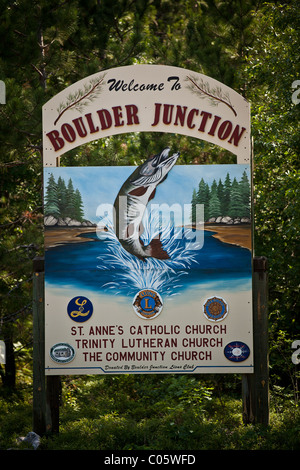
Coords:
239,234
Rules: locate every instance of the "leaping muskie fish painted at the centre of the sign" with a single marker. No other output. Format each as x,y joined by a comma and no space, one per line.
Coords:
132,200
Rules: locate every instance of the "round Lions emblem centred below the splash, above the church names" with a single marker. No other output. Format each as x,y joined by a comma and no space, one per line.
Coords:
147,304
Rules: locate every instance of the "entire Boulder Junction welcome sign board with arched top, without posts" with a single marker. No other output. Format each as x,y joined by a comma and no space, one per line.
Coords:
148,269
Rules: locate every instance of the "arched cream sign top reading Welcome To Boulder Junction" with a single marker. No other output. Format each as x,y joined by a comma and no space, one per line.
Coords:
146,98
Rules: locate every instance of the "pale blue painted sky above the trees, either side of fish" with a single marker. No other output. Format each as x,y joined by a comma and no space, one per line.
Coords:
100,185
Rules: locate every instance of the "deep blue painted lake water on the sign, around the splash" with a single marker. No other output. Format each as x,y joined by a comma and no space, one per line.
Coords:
103,266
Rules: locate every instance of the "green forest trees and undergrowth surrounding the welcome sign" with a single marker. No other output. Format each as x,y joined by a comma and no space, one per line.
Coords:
251,46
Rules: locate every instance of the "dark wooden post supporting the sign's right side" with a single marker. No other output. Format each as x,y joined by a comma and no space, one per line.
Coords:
256,385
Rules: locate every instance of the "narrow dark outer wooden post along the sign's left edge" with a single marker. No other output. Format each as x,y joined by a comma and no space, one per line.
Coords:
39,386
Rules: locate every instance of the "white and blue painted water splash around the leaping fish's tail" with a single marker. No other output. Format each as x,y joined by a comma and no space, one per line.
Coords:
133,274
